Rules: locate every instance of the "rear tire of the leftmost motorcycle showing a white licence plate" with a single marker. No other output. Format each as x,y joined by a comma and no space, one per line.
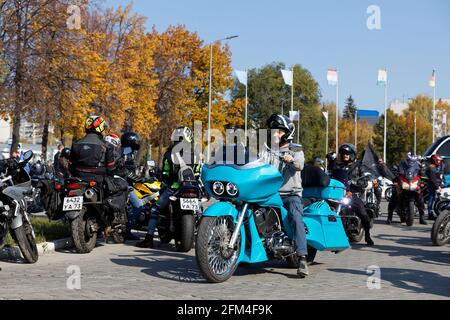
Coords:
83,239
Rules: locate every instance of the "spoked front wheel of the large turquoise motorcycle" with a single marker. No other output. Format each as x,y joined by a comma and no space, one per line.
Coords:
216,261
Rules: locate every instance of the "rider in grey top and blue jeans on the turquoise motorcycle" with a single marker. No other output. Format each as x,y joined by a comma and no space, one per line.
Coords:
282,133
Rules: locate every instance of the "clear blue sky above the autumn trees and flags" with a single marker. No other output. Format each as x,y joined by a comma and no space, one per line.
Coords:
414,38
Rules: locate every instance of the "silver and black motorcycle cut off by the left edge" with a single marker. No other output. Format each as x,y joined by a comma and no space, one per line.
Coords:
15,186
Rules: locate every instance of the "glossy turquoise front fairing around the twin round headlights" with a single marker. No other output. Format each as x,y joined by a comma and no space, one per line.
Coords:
255,181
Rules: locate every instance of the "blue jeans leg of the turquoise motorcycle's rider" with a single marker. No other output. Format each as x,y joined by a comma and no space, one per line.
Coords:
293,204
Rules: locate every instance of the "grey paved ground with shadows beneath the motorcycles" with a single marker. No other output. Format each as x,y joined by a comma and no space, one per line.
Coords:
408,265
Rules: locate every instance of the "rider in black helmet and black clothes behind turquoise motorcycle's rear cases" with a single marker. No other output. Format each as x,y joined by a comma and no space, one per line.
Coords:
345,168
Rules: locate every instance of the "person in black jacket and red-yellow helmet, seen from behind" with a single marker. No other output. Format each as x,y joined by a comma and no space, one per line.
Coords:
92,158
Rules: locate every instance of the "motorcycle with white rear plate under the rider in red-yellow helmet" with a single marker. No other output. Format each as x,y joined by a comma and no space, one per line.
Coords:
90,212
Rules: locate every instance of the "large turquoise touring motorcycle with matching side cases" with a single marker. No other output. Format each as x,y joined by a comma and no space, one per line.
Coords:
250,225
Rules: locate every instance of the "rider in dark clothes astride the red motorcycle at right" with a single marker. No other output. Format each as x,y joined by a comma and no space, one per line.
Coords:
411,162
